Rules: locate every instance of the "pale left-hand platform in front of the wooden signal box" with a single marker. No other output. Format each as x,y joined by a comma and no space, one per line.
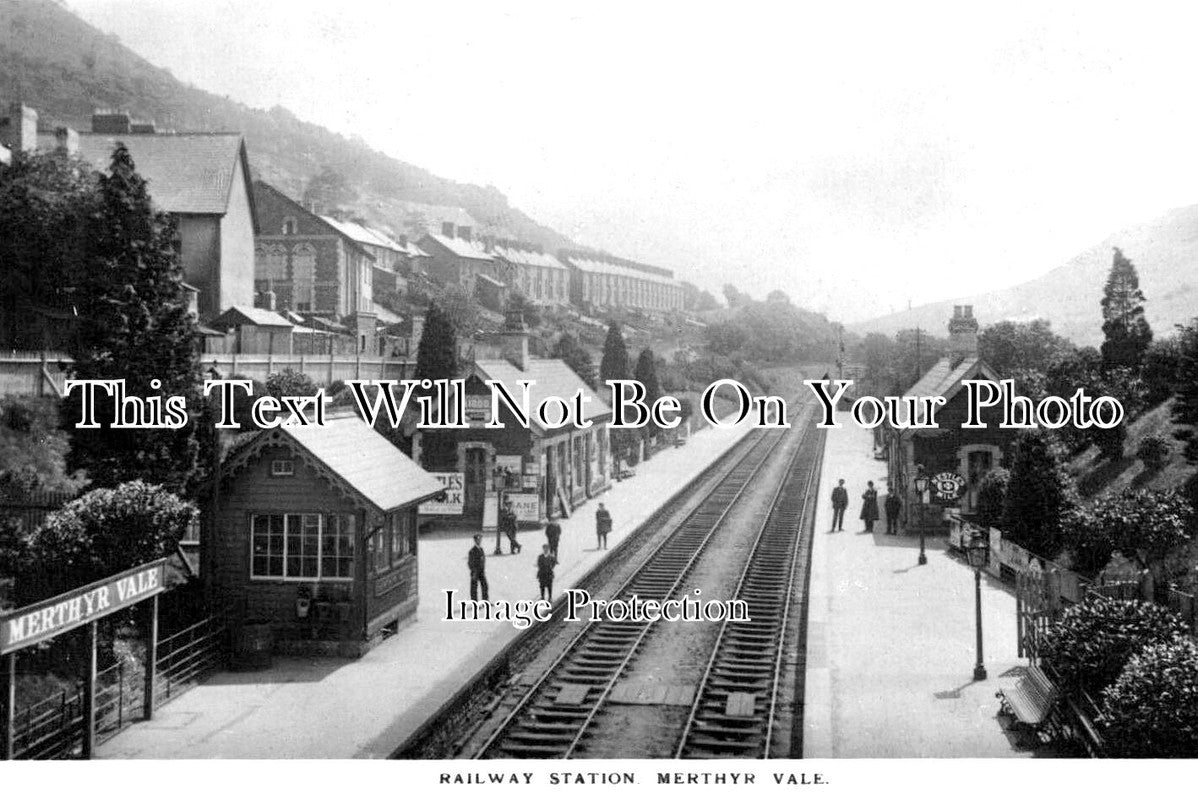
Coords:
334,708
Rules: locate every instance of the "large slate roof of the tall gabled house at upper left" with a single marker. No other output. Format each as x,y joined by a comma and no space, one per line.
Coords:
186,173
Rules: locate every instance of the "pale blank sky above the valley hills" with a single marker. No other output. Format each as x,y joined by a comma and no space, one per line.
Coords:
857,156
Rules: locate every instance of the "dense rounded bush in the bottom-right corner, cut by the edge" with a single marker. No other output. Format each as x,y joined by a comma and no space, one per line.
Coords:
1152,711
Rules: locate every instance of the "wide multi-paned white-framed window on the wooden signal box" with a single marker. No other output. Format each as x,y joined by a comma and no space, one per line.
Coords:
302,547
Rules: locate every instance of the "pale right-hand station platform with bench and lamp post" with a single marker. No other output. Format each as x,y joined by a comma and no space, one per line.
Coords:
892,644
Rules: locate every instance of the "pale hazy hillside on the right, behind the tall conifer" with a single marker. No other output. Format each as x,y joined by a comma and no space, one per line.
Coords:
1164,251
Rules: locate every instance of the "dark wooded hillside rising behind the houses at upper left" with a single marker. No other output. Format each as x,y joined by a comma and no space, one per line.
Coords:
65,69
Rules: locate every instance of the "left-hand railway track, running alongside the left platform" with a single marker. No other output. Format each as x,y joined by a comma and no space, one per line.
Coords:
554,716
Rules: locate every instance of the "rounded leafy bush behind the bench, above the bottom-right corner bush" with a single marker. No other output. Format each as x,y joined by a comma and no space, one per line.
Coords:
1091,644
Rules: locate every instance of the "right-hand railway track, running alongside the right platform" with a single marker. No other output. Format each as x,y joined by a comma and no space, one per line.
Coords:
736,707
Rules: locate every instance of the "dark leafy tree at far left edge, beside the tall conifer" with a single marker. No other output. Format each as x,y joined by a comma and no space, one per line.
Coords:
46,202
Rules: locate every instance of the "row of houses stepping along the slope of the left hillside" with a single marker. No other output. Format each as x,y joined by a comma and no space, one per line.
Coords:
246,245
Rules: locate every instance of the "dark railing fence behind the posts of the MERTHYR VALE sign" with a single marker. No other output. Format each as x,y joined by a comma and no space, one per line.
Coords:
53,728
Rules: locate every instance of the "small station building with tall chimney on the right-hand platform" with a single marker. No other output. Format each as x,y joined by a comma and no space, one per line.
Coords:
970,453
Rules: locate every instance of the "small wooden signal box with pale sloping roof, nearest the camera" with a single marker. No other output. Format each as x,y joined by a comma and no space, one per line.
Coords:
316,535
